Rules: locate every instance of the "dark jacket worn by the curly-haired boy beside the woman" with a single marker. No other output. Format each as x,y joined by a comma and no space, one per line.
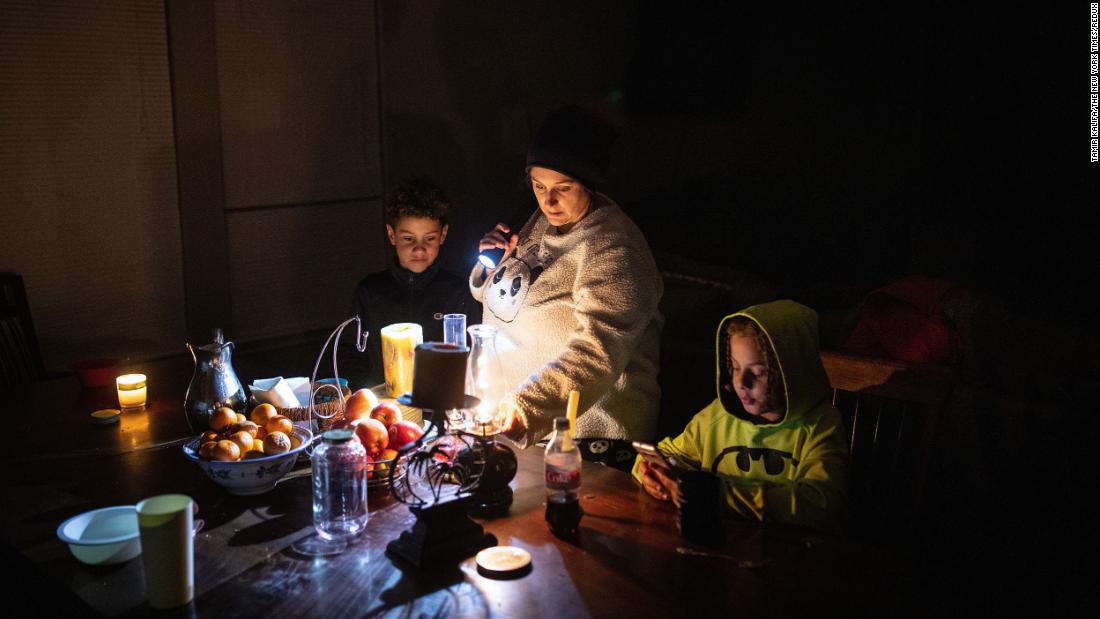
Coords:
399,295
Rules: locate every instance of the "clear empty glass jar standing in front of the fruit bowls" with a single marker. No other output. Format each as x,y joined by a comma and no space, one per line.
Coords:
339,466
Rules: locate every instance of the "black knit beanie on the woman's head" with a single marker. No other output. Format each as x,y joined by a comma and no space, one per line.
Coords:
576,143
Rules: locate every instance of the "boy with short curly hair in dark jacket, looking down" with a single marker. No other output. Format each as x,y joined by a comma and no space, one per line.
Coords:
414,289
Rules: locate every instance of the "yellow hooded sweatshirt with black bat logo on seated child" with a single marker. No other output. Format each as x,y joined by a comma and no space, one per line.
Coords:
791,471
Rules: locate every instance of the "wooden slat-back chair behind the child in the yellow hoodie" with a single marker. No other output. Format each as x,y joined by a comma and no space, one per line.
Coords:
892,411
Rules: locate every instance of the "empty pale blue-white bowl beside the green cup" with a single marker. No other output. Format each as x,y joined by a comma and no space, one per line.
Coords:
103,537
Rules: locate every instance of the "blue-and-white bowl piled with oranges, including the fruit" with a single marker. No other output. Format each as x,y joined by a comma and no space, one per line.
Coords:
248,456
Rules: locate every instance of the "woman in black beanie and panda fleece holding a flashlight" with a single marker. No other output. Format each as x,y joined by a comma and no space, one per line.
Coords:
575,301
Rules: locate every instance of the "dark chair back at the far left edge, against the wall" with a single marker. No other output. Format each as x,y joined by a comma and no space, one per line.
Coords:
20,358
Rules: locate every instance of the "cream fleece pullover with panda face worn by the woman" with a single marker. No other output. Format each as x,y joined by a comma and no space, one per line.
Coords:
579,312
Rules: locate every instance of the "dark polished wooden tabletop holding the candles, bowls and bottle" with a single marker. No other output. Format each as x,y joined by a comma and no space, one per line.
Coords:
629,559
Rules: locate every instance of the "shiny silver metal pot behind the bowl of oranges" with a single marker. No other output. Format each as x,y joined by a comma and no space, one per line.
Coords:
214,384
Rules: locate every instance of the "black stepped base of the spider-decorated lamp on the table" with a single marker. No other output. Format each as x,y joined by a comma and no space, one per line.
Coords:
443,534
